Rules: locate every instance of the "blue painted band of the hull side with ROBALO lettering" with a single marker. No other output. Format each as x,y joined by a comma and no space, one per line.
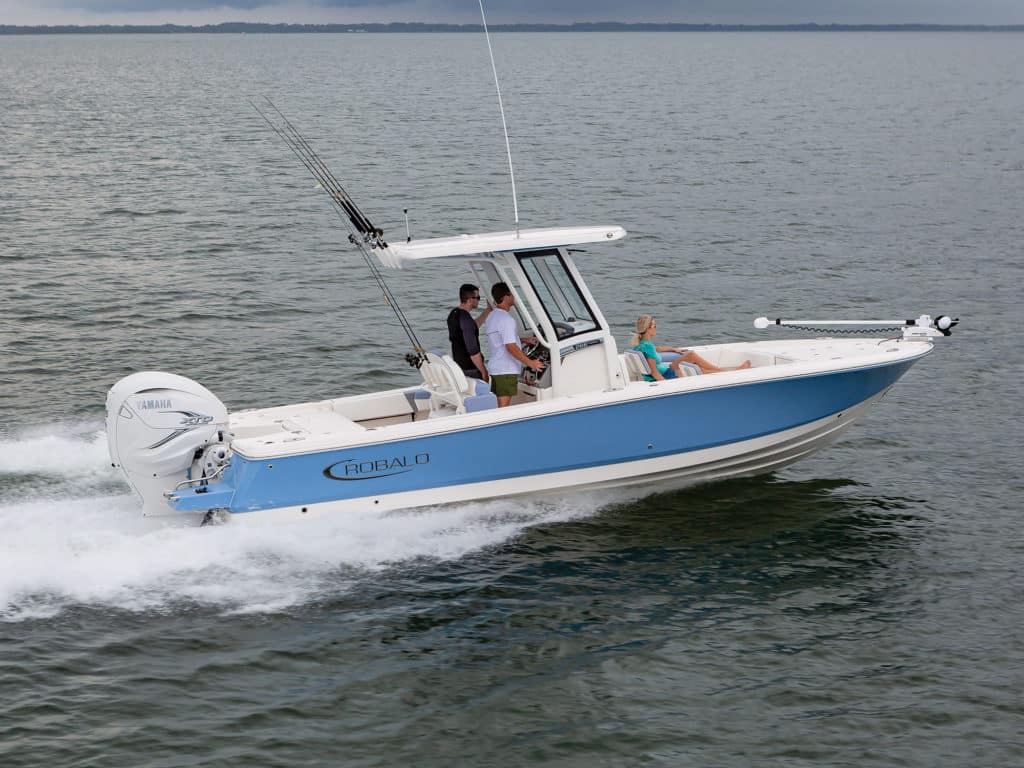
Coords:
596,437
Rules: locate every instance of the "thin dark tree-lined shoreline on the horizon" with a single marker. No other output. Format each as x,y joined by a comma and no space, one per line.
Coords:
415,27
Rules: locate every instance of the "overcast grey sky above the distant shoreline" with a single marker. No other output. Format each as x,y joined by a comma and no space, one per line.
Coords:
347,12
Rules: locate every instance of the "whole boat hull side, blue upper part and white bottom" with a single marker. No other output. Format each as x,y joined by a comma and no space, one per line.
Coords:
658,442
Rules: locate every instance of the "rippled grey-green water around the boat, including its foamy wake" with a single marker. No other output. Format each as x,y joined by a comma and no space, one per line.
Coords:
862,608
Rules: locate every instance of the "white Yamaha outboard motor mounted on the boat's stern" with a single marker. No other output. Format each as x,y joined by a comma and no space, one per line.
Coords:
163,430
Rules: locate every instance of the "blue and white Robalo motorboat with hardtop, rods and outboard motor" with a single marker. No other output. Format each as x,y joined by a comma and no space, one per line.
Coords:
590,419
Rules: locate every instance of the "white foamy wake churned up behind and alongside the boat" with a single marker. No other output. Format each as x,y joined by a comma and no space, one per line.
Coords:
99,551
